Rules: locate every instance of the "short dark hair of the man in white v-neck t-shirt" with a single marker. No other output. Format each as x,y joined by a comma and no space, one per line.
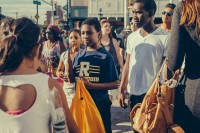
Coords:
149,6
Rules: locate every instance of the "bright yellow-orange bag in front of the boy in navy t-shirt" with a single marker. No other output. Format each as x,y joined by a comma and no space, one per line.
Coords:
85,112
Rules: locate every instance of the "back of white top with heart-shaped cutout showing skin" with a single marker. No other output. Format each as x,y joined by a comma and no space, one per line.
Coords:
34,113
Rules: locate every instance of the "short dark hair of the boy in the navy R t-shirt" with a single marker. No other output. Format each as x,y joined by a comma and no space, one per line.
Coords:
92,22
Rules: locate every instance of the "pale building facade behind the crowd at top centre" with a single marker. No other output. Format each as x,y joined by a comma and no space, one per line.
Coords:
113,10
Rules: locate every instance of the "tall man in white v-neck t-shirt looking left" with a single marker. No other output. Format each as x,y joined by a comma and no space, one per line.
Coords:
146,49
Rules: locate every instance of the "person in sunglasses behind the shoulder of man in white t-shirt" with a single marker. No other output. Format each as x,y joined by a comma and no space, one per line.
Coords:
167,15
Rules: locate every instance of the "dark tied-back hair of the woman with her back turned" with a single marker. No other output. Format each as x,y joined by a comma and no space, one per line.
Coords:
19,45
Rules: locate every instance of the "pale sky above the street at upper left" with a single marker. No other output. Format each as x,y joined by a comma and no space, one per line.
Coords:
20,8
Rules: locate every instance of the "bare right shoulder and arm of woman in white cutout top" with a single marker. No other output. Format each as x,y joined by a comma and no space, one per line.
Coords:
73,128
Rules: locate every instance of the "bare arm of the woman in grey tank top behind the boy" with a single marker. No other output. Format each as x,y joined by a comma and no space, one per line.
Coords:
119,57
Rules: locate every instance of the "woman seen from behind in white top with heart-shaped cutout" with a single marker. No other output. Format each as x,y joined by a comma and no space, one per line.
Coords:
27,96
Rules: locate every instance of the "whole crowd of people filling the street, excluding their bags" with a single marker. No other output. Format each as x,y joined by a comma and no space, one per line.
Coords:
39,67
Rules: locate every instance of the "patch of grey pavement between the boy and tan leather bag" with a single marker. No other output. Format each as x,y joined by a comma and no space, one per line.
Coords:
120,119
